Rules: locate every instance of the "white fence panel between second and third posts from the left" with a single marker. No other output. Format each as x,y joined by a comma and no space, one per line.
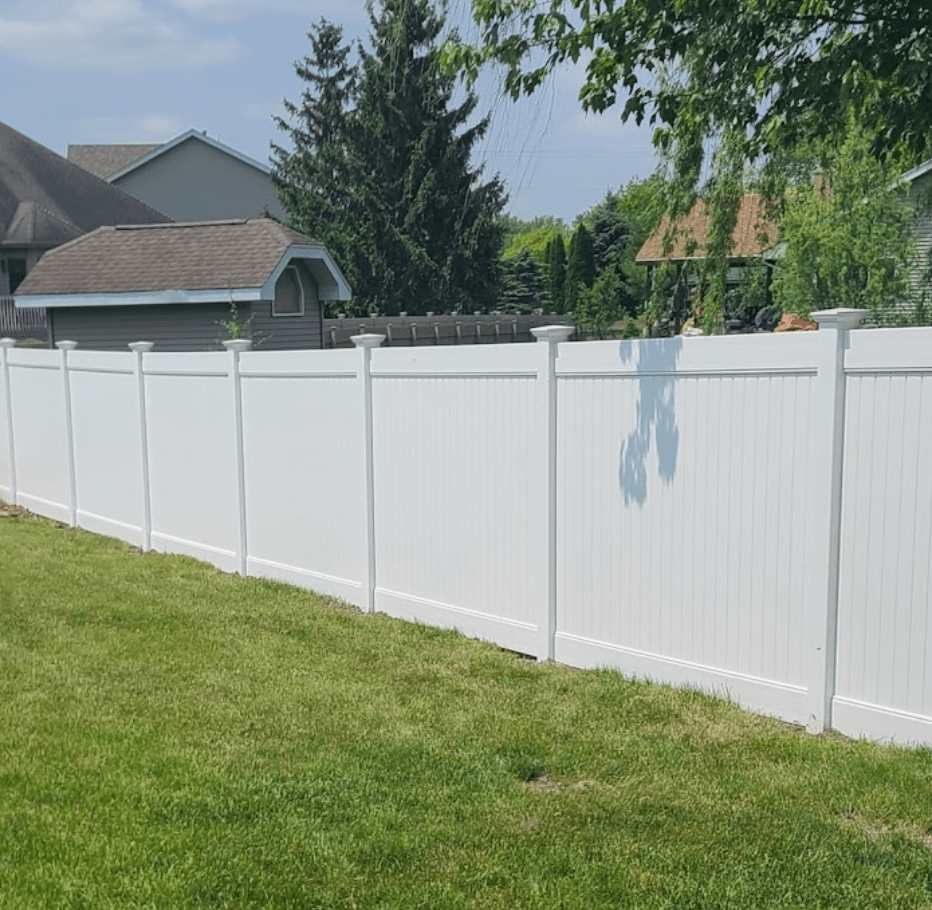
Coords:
108,457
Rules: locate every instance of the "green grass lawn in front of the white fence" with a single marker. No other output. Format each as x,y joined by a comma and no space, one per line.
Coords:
171,737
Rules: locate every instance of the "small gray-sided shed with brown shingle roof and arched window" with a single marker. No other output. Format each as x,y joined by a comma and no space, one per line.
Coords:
180,286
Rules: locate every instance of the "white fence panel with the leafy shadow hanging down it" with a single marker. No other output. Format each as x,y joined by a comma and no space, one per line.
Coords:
682,511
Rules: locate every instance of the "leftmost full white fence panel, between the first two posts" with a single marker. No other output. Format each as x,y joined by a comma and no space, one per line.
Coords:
40,433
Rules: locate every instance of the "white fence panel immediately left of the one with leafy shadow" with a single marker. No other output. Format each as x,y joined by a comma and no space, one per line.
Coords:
459,443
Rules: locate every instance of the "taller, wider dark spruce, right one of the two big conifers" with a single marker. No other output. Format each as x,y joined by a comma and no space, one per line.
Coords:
430,227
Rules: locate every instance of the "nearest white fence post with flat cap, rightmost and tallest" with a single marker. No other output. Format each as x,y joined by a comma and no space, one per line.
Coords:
829,404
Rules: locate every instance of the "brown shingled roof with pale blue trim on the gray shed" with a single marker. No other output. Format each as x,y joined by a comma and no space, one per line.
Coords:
177,263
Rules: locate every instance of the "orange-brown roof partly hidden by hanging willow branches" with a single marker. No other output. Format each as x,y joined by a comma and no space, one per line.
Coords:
755,233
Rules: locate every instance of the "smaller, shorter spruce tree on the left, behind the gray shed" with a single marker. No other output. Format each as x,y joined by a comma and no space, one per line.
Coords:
312,179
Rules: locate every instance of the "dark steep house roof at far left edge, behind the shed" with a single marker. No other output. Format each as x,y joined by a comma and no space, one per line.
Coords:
45,199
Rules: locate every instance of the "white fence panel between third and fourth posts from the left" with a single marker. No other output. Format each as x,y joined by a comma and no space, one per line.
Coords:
192,456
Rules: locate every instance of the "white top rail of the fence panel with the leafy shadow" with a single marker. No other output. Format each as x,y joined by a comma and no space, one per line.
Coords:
680,356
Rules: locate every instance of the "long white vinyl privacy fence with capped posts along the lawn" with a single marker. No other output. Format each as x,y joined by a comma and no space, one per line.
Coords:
751,515
